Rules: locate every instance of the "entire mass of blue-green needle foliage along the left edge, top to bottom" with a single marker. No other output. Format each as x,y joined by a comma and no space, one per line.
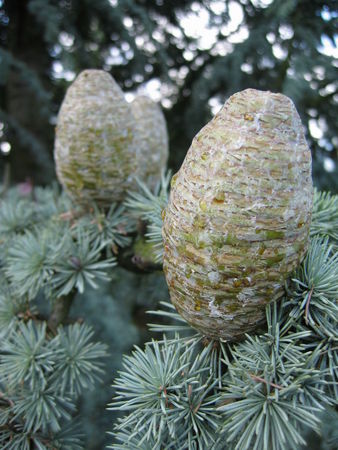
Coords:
50,251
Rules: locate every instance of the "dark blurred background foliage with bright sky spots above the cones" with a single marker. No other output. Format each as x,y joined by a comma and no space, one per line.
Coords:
188,55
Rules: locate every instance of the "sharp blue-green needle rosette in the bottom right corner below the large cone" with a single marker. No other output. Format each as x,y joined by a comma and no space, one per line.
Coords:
273,388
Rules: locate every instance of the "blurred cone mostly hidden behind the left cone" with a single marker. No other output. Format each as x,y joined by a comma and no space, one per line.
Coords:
153,140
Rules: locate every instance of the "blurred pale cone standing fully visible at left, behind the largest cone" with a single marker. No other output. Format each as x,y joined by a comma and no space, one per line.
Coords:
94,145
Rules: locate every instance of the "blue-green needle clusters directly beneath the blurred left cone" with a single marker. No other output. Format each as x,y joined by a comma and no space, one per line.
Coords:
55,248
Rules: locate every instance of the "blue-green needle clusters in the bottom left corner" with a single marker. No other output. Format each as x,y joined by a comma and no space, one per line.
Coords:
41,376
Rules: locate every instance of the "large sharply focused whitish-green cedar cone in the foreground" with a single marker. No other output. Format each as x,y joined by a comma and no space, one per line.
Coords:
237,222
